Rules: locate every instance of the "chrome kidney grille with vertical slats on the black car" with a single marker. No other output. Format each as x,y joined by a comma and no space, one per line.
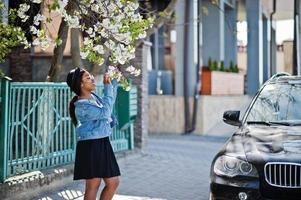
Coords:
279,174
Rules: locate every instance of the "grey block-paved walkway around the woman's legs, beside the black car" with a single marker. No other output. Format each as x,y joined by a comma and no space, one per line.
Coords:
171,168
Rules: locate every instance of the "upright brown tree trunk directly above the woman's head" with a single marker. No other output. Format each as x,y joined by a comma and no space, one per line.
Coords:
75,48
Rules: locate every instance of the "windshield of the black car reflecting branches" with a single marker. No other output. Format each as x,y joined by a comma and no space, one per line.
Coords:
277,104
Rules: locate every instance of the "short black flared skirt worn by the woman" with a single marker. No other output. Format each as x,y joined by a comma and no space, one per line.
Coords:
95,159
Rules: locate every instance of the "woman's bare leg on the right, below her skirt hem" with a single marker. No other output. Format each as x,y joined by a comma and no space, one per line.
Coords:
110,188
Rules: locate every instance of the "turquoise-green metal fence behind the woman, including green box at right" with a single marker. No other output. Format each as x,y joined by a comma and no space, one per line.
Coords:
36,131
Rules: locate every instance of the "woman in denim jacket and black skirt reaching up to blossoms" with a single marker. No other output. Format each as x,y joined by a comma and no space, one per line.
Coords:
95,159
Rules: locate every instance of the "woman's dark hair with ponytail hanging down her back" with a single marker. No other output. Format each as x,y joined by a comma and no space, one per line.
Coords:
74,79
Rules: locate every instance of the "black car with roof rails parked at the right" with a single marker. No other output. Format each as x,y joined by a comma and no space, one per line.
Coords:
262,159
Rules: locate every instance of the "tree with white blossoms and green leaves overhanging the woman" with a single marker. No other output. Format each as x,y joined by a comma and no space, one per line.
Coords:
110,30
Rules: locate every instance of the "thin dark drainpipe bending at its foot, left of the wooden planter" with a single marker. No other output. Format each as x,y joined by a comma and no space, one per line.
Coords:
198,83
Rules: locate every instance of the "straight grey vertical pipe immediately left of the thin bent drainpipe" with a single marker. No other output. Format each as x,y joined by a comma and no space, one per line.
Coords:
186,67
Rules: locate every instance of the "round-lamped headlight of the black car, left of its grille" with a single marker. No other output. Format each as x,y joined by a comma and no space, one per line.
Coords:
230,166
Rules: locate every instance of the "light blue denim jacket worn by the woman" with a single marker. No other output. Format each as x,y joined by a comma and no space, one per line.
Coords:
95,119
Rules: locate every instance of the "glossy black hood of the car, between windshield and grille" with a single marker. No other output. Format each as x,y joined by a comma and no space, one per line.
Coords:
268,143
